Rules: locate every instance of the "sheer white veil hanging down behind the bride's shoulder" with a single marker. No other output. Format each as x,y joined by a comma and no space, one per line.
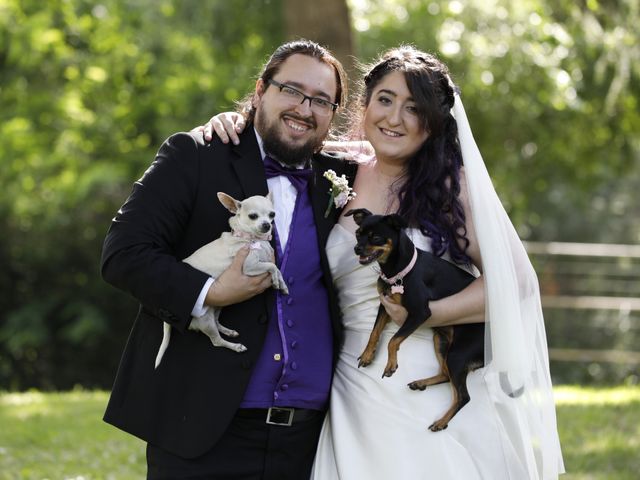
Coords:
516,358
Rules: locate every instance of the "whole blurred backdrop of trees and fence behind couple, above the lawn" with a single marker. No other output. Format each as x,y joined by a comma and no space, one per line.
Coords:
89,90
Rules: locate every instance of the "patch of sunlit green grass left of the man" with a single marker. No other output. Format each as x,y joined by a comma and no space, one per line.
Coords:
62,436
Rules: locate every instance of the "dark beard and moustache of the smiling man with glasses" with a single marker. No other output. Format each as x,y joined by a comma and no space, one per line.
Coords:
278,149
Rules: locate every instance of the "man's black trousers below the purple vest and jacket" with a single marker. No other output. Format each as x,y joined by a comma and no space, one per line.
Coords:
250,449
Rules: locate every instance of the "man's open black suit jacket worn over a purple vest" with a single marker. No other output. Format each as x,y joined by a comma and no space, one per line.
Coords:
186,404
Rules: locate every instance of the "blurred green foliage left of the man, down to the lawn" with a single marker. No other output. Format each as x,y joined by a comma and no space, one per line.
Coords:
88,93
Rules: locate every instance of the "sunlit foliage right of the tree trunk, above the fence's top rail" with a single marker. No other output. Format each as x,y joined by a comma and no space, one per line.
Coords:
552,92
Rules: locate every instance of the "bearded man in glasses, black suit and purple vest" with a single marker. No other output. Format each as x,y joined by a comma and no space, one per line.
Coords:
209,412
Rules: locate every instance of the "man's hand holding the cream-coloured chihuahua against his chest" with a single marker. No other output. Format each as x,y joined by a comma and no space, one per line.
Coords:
233,286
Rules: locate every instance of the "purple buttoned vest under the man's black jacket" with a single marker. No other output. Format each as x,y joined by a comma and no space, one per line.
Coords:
295,367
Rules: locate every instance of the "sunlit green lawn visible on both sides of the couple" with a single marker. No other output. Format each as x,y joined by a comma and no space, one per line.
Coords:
61,436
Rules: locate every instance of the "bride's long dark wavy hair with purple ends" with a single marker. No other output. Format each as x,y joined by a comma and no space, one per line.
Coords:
431,184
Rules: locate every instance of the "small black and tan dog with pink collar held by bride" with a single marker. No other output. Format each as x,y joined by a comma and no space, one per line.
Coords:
413,277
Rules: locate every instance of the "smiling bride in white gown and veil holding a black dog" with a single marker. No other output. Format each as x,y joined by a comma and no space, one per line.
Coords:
377,428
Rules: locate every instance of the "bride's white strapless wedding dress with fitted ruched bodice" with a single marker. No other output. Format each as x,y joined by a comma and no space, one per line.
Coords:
377,428
